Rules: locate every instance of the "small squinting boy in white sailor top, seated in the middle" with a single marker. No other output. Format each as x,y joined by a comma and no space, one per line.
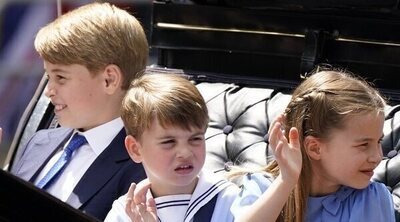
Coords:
165,118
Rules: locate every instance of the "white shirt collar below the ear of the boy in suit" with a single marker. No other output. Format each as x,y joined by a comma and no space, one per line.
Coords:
101,136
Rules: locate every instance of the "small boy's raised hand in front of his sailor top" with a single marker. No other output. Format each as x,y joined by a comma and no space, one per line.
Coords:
137,207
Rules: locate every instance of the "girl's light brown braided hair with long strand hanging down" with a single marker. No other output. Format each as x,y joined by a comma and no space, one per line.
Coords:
318,105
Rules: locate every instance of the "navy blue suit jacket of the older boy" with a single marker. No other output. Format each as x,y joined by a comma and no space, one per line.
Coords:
108,178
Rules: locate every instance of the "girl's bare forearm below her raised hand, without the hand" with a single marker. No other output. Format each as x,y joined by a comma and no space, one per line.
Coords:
269,205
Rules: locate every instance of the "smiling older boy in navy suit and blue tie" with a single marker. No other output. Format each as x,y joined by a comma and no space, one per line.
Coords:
91,54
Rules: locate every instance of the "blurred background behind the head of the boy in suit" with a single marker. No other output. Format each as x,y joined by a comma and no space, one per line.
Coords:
20,67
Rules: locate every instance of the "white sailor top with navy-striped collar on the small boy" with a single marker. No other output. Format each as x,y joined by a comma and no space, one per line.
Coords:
210,202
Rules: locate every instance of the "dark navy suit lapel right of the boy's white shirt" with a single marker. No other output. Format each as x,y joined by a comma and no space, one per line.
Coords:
102,169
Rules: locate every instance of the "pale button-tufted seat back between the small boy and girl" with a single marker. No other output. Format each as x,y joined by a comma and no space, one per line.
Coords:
239,121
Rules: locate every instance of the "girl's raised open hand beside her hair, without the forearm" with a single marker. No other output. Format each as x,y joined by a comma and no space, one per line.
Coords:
287,153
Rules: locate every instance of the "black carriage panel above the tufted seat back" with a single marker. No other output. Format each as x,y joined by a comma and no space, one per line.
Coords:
279,41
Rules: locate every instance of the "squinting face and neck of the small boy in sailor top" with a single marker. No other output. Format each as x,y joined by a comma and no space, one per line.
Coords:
172,158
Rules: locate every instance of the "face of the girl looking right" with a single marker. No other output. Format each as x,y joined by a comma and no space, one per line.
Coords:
351,154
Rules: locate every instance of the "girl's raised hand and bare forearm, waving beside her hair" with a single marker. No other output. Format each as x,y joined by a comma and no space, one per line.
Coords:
288,155
